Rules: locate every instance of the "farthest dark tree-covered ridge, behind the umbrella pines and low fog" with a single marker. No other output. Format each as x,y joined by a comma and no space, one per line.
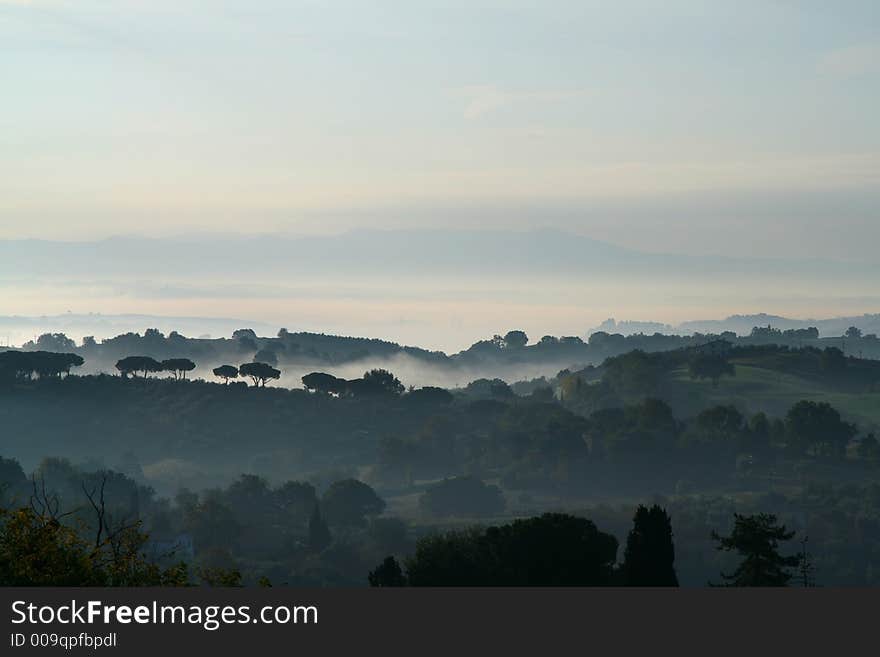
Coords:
512,347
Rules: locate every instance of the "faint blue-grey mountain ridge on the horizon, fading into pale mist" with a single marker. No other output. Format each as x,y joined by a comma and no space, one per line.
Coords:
376,252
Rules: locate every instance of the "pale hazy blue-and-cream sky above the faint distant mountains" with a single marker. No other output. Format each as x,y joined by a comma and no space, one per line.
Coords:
666,125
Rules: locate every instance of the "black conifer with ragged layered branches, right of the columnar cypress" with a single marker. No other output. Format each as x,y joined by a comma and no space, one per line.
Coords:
756,538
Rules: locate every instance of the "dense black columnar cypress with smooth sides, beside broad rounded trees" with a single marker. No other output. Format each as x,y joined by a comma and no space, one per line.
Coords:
649,557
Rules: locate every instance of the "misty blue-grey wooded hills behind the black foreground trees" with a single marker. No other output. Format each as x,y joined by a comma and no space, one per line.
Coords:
319,483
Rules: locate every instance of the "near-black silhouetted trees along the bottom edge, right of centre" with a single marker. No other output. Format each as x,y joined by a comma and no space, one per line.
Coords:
558,549
